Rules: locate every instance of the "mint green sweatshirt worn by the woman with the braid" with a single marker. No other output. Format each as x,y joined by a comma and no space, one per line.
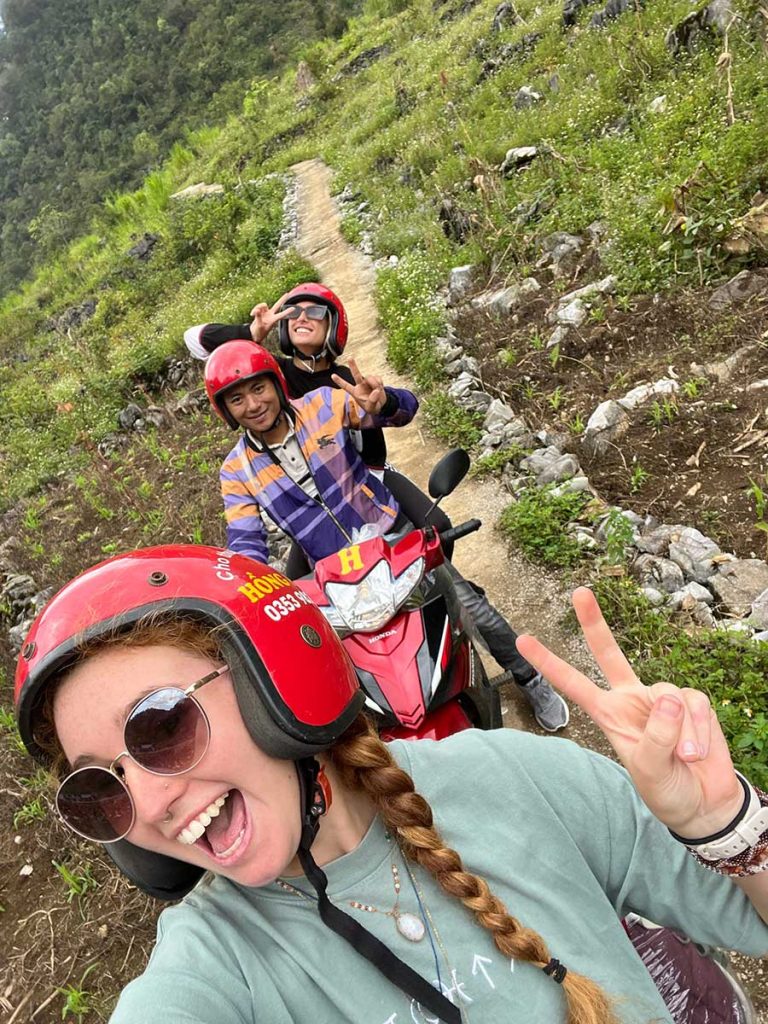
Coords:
558,832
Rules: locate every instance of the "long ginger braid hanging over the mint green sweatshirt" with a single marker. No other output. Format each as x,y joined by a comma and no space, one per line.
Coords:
364,763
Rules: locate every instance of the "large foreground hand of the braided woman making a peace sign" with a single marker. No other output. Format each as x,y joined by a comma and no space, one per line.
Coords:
668,739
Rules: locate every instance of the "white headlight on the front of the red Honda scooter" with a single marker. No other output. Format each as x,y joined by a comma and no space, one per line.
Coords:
368,606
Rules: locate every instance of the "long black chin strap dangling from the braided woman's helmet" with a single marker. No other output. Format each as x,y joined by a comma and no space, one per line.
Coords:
313,804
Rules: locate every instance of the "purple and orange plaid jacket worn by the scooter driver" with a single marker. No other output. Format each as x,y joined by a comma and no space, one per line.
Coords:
352,496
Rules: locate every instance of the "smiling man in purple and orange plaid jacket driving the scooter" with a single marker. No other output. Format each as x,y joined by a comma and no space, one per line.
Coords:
296,463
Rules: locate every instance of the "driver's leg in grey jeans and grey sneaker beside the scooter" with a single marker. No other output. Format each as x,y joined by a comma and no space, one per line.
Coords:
550,710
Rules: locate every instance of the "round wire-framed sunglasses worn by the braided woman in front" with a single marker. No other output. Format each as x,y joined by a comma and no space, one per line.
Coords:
167,733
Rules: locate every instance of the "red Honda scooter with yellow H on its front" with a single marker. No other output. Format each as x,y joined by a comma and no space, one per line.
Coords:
396,609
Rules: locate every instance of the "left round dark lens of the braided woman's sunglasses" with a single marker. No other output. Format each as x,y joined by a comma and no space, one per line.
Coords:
96,803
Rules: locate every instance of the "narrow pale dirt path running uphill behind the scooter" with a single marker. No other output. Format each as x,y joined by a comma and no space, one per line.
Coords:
531,599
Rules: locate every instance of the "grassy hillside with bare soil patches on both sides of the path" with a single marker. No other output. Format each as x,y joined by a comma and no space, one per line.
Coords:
415,107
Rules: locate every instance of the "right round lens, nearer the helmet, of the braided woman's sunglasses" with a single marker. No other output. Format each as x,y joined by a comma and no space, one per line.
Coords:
167,733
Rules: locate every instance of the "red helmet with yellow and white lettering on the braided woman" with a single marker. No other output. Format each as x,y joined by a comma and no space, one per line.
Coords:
296,689
